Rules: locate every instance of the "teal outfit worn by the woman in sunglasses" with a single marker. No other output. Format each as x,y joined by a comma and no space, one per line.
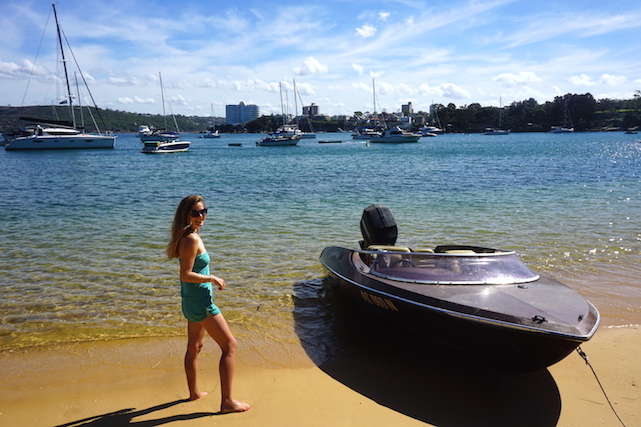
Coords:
198,298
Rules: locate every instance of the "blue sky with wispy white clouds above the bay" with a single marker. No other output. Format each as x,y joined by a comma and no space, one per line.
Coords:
218,53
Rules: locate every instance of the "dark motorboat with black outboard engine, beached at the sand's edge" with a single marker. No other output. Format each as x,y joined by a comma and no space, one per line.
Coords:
482,301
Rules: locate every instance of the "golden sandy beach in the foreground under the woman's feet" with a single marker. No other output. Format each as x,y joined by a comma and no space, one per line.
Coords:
140,382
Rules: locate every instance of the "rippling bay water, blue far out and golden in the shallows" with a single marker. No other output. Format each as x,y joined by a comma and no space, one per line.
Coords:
83,232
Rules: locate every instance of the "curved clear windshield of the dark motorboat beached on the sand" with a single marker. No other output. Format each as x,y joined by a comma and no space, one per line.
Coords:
500,267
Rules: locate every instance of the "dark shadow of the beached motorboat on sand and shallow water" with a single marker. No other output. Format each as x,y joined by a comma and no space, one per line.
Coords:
411,376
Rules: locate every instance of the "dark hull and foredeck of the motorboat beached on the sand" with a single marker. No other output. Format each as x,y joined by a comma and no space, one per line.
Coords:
500,339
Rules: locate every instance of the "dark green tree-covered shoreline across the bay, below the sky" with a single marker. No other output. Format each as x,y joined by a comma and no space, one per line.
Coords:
581,111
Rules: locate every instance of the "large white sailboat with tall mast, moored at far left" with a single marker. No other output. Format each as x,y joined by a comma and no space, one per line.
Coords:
56,134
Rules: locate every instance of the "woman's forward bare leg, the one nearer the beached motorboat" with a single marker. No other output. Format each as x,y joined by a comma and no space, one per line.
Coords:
217,327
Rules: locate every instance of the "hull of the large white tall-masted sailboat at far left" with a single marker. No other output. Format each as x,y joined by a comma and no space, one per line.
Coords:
46,142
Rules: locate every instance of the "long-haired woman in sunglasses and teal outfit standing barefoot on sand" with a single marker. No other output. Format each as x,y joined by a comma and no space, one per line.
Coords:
198,301
